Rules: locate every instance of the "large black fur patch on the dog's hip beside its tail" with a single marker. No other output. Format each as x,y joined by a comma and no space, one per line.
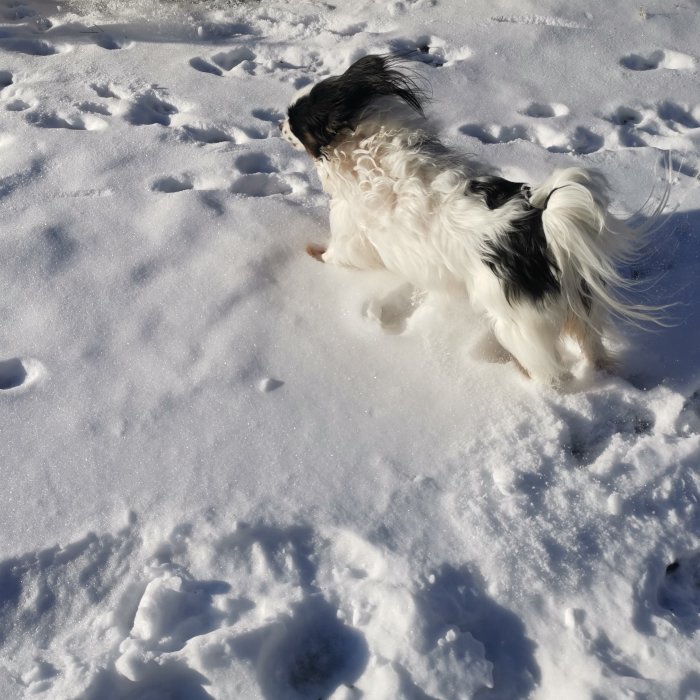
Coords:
521,261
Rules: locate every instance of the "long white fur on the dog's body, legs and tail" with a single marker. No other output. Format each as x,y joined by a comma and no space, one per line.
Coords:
398,203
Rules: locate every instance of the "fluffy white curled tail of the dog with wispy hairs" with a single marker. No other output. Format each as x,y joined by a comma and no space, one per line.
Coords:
590,246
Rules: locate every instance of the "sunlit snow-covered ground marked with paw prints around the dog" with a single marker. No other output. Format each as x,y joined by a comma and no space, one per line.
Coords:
229,471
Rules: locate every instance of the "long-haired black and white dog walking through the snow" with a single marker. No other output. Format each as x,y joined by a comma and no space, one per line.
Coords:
541,262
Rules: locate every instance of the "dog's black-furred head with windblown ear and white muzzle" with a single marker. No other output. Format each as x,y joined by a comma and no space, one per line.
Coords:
320,113
